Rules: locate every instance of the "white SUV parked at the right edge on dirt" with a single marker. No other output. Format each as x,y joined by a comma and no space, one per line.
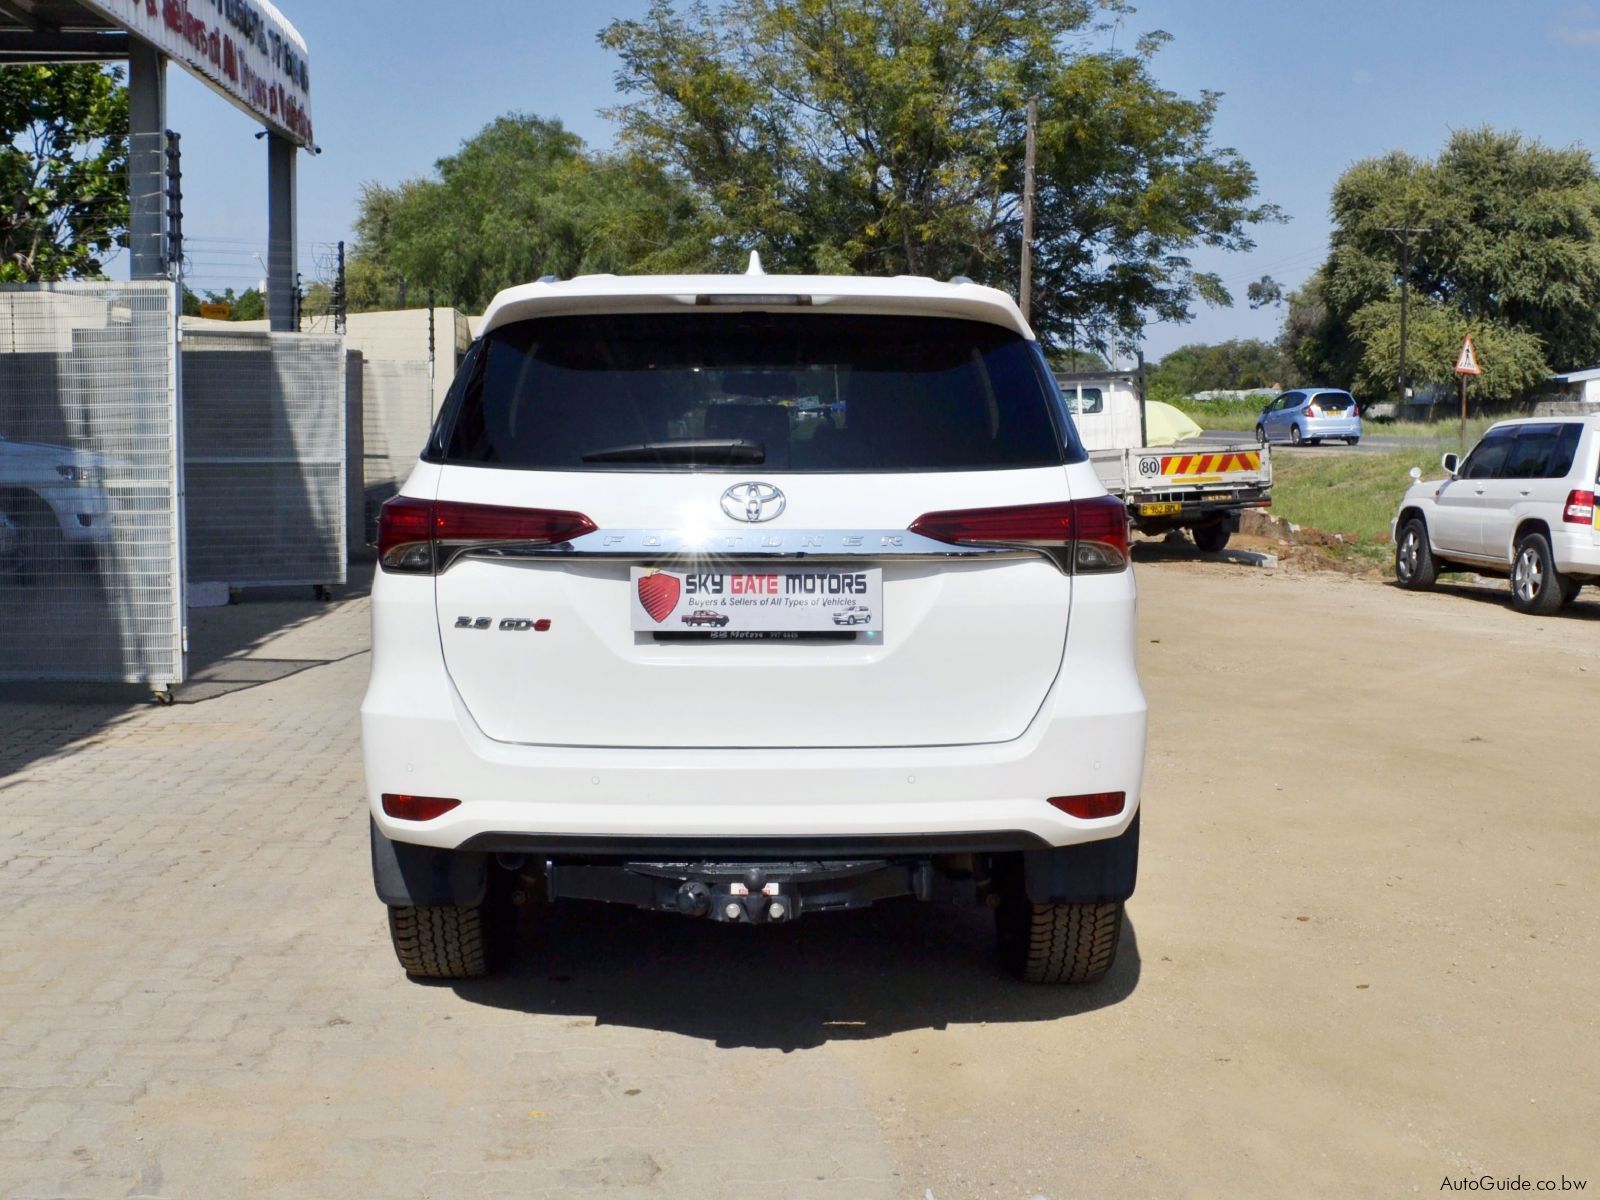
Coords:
1521,505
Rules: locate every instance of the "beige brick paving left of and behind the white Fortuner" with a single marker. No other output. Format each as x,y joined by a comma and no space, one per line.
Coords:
198,996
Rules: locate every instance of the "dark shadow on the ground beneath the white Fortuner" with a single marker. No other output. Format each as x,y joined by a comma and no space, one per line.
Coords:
839,977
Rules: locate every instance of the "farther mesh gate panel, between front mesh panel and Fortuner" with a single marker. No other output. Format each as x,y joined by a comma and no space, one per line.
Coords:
265,452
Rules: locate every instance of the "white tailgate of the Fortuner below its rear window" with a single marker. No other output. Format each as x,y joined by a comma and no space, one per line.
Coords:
962,652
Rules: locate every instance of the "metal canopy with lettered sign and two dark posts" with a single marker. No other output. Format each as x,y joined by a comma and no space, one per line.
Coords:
246,52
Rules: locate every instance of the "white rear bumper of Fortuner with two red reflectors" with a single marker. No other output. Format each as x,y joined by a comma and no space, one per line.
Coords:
420,740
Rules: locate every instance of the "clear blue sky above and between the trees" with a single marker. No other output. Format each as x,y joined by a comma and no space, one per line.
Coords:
1310,87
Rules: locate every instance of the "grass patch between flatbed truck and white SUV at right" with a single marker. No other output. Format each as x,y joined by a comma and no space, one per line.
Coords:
1356,495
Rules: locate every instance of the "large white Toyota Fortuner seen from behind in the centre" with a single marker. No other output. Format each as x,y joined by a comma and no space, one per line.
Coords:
622,454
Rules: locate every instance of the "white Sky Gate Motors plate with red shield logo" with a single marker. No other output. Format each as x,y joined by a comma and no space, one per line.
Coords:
756,601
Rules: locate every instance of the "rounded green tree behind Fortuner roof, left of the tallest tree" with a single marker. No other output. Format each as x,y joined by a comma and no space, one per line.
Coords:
519,201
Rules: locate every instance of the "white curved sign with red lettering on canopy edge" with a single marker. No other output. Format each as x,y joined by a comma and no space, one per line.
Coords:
244,49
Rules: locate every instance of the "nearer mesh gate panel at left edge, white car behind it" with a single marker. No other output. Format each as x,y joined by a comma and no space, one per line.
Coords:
90,540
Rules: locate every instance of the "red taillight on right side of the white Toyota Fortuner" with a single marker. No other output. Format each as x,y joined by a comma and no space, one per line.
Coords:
1094,532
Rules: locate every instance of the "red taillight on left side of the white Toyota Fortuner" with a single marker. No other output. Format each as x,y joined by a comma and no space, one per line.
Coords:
423,537
